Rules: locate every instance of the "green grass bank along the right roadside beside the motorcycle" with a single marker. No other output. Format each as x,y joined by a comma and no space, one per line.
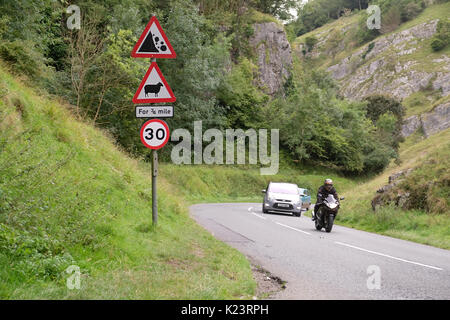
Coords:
430,158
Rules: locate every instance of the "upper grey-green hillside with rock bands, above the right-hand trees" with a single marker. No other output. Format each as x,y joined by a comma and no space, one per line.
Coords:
400,63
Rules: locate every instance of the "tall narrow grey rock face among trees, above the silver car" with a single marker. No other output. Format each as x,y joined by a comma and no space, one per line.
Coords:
274,56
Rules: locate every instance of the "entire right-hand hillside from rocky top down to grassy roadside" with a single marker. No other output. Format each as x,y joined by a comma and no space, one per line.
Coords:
403,65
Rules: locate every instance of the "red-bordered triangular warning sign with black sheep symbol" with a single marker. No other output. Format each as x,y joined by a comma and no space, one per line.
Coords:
154,88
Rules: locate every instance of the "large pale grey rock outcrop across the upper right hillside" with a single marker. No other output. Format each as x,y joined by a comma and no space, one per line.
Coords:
378,70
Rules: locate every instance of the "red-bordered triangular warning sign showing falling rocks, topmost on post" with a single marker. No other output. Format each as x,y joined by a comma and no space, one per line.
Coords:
153,43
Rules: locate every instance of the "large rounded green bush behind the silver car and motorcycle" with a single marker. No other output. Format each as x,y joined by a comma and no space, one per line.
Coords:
318,127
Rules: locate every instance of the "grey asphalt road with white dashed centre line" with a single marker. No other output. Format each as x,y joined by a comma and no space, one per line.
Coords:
343,264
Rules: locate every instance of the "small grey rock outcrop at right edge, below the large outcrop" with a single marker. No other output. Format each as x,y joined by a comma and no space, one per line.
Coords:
431,123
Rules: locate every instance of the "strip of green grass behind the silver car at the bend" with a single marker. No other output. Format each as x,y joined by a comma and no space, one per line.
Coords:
202,183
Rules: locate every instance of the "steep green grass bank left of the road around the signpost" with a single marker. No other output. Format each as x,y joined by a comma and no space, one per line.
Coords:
68,196
